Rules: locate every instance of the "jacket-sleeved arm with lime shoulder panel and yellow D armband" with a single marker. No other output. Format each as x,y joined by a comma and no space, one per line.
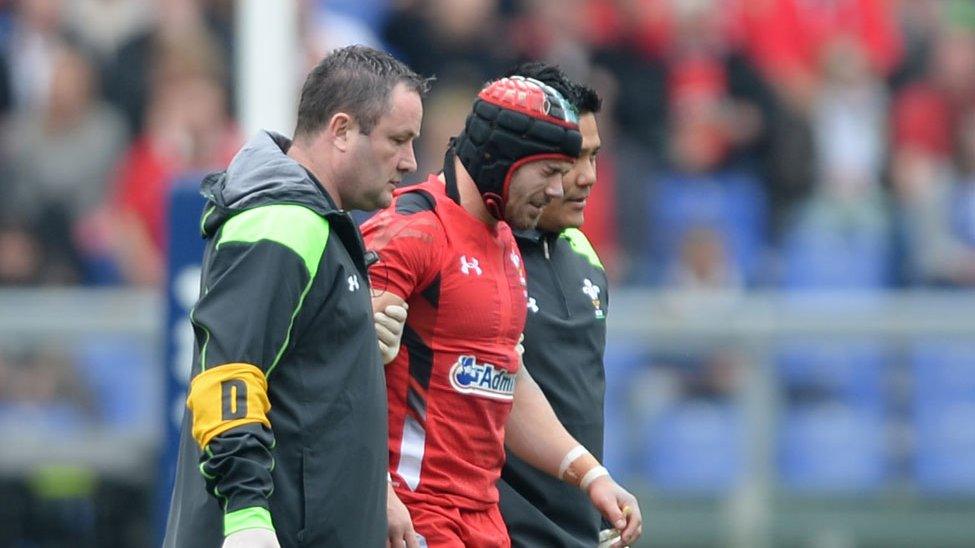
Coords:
260,270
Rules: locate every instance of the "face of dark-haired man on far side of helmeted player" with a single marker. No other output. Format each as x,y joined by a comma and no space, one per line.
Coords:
567,212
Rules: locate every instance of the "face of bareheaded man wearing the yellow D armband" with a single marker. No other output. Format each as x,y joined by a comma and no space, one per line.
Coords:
381,158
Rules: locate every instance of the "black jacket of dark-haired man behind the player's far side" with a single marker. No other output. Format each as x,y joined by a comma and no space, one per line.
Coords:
565,336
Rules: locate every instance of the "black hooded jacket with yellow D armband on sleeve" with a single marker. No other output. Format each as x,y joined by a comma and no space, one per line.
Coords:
284,298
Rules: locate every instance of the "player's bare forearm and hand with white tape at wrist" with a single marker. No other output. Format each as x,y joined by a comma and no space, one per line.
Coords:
534,434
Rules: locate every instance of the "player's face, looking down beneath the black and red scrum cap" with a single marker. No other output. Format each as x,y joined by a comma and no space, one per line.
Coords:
532,186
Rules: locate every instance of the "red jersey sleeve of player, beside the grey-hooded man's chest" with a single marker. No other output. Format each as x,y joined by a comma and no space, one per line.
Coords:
409,249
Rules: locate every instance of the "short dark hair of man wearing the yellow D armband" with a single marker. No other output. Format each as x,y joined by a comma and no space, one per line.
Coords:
354,79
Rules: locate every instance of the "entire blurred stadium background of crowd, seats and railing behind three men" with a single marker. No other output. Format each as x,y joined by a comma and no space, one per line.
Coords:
785,205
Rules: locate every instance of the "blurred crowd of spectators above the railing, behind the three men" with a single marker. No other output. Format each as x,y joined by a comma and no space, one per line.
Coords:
748,143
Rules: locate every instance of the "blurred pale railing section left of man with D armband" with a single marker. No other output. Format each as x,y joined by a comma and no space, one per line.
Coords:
59,321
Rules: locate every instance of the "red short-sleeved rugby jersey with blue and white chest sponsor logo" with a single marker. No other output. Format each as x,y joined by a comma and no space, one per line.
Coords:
450,389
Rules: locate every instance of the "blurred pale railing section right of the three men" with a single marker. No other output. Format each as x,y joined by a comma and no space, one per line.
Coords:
757,513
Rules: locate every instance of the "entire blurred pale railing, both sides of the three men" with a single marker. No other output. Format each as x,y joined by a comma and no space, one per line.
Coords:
755,514
